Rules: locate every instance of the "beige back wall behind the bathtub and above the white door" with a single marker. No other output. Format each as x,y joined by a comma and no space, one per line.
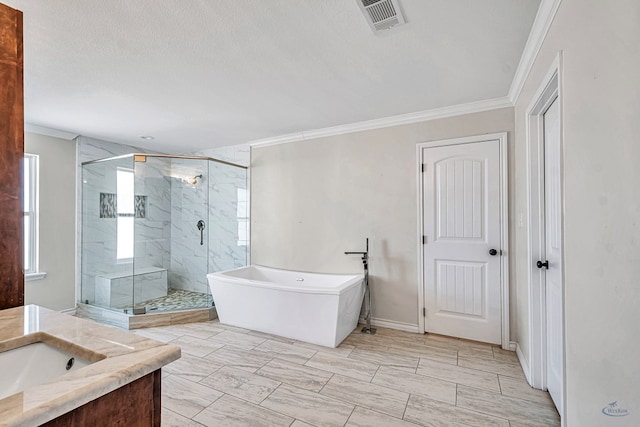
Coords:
313,200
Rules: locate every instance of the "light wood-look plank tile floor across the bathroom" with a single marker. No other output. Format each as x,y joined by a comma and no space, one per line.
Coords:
229,376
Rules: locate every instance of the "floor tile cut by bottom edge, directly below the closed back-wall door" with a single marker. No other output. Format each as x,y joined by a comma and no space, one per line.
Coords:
430,412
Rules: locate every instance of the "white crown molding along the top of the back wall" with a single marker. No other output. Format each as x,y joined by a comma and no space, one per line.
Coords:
402,119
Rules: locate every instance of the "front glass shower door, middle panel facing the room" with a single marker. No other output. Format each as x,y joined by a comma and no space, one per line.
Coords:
171,234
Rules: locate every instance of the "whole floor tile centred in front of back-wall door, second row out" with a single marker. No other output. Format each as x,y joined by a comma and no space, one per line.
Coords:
458,374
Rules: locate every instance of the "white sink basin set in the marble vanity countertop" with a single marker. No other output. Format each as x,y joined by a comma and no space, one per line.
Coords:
33,364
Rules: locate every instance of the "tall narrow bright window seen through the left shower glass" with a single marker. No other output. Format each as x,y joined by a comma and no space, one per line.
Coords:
125,213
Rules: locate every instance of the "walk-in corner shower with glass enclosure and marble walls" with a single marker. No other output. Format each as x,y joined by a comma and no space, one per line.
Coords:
154,225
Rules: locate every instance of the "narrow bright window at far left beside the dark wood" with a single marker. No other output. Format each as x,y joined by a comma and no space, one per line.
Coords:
30,209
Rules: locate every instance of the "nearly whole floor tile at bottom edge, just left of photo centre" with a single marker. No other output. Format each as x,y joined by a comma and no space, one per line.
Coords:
308,406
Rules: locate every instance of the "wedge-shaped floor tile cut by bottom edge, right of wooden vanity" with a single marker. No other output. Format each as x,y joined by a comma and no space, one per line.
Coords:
231,412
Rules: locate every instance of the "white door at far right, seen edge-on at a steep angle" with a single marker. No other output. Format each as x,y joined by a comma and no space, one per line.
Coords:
552,265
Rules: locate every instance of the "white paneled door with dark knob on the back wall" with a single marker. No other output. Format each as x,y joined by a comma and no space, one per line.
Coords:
462,240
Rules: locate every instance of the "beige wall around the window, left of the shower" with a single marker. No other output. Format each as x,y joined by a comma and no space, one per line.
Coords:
57,222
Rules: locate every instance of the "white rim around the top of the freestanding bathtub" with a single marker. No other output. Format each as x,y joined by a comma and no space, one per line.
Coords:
353,280
